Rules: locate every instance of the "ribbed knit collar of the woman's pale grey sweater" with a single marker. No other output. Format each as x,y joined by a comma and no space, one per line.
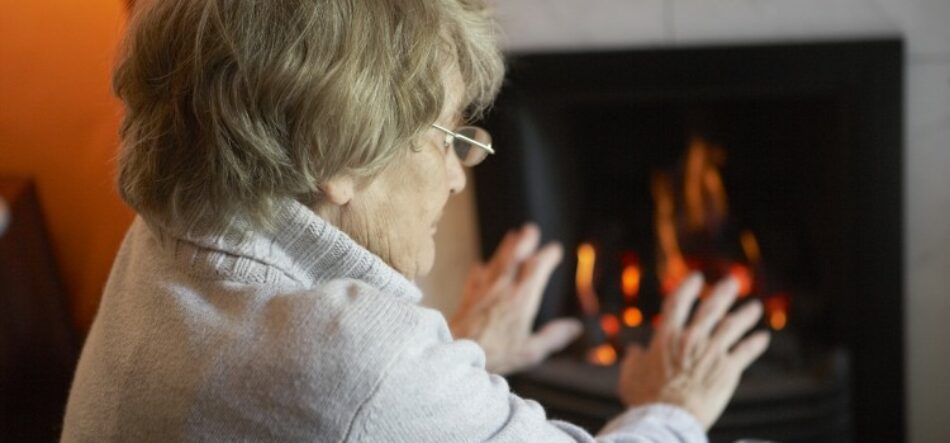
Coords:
304,247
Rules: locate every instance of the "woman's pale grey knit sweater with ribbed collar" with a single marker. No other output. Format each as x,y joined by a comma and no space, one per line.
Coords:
299,336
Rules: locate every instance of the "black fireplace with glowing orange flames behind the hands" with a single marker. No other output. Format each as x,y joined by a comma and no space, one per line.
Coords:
778,164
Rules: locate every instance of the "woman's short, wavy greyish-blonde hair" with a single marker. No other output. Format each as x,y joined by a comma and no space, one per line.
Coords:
234,105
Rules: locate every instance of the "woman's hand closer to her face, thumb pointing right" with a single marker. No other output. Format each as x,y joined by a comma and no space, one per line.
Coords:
501,299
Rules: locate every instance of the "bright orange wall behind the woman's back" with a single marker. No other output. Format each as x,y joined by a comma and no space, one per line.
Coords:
58,125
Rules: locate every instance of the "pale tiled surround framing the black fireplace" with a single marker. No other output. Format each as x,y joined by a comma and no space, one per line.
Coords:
579,24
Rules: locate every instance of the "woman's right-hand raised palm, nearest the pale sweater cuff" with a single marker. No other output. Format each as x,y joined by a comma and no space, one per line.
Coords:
696,367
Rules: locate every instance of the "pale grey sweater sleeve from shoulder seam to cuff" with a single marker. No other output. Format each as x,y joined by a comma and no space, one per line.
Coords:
436,389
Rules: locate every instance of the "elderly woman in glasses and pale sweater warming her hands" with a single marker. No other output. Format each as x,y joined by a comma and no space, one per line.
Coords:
289,161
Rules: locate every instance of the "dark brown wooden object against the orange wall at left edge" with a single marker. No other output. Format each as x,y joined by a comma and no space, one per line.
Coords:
38,345
